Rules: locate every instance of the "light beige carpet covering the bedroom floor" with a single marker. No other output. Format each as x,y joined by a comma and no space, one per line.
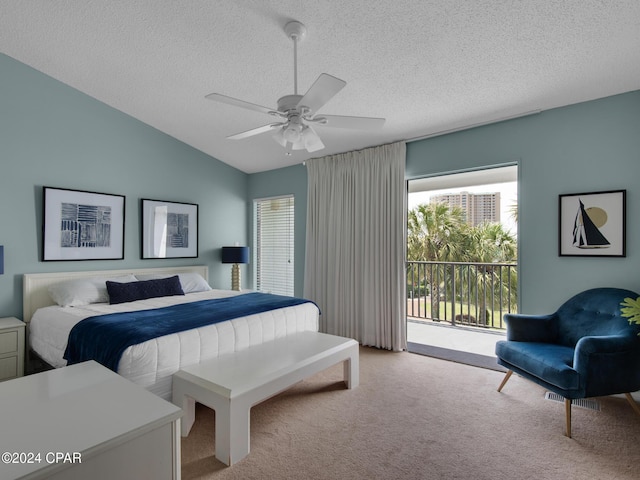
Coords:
416,417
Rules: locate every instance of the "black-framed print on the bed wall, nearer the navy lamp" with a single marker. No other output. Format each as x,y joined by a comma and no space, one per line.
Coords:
169,229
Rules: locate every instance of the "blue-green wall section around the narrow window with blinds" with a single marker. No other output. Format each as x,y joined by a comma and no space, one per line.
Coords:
285,181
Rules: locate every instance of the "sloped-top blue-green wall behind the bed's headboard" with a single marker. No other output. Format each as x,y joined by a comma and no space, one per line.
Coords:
52,135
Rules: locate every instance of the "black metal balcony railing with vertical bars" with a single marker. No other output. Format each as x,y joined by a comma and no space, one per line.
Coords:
460,293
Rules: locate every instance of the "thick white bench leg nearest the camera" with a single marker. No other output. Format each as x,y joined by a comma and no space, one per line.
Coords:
232,432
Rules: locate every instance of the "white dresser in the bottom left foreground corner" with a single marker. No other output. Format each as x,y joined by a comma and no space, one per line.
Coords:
86,422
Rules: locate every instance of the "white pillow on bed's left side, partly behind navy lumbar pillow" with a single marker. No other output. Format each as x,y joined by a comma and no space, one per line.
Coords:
84,291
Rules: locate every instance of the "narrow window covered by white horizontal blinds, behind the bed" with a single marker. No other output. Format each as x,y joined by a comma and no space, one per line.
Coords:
273,244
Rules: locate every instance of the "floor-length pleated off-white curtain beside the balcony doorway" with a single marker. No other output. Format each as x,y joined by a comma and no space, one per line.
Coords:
354,265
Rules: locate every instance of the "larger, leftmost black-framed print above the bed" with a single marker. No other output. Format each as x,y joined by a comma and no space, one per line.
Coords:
79,225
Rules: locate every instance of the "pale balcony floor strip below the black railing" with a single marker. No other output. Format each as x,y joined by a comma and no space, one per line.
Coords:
458,344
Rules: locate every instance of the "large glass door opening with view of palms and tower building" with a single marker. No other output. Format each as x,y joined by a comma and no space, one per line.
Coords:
476,285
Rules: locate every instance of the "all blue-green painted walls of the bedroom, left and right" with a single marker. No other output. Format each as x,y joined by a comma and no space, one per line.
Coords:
52,135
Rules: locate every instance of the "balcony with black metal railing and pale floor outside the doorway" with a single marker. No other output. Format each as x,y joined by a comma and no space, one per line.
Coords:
455,309
